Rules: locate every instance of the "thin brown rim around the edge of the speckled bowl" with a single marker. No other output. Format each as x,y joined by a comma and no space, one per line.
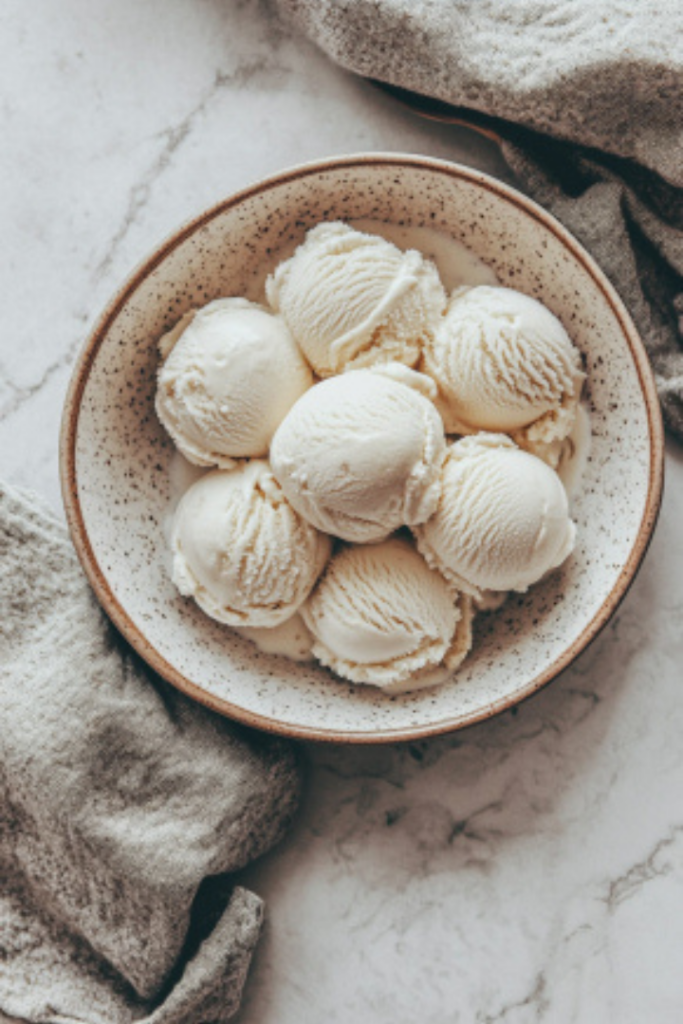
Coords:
131,631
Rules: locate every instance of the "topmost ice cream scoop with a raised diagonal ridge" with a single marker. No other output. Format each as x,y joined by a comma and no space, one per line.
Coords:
353,300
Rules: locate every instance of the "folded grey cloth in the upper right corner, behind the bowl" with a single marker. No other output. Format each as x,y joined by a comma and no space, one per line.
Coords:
591,102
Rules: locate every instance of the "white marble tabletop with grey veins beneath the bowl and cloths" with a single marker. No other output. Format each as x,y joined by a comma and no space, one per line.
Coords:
528,870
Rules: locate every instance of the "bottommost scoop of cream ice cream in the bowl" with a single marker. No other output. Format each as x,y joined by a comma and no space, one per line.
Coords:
380,616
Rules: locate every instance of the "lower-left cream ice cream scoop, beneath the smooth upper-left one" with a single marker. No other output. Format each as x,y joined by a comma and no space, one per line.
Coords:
240,549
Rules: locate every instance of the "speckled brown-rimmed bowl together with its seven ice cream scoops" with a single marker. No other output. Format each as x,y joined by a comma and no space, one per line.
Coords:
142,518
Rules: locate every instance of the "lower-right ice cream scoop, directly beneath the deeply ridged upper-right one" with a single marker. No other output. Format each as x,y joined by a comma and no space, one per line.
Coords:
502,522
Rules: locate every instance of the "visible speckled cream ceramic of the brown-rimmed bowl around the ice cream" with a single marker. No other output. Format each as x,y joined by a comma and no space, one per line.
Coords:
115,456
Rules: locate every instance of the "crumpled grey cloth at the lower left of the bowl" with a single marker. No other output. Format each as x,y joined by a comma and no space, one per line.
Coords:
124,807
